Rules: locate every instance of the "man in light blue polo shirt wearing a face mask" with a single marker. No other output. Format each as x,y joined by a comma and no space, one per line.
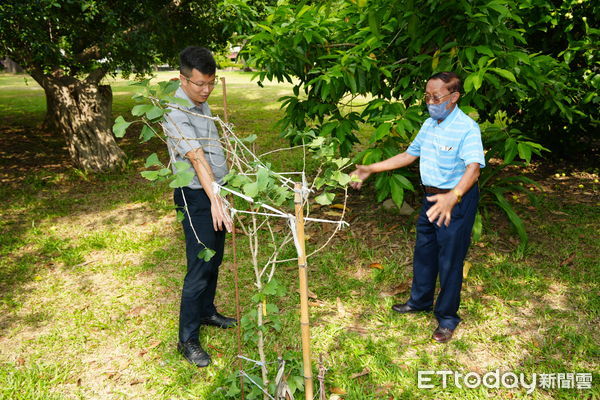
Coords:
451,155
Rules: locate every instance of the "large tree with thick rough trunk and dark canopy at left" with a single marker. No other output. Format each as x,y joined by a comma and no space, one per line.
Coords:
69,46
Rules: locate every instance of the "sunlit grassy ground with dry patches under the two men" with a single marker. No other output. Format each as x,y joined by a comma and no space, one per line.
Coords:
91,270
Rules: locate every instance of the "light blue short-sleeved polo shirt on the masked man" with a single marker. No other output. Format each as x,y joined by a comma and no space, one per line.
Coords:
447,148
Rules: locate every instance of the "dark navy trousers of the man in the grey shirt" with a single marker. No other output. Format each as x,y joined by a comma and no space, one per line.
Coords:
200,283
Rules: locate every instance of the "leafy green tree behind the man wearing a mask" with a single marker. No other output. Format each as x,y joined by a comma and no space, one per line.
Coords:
341,50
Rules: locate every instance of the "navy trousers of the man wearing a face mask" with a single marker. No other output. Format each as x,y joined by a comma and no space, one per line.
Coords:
442,250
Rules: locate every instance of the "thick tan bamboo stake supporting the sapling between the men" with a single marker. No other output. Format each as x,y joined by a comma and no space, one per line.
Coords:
303,275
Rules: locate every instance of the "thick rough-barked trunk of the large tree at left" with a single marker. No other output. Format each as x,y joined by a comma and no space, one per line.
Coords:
81,112
